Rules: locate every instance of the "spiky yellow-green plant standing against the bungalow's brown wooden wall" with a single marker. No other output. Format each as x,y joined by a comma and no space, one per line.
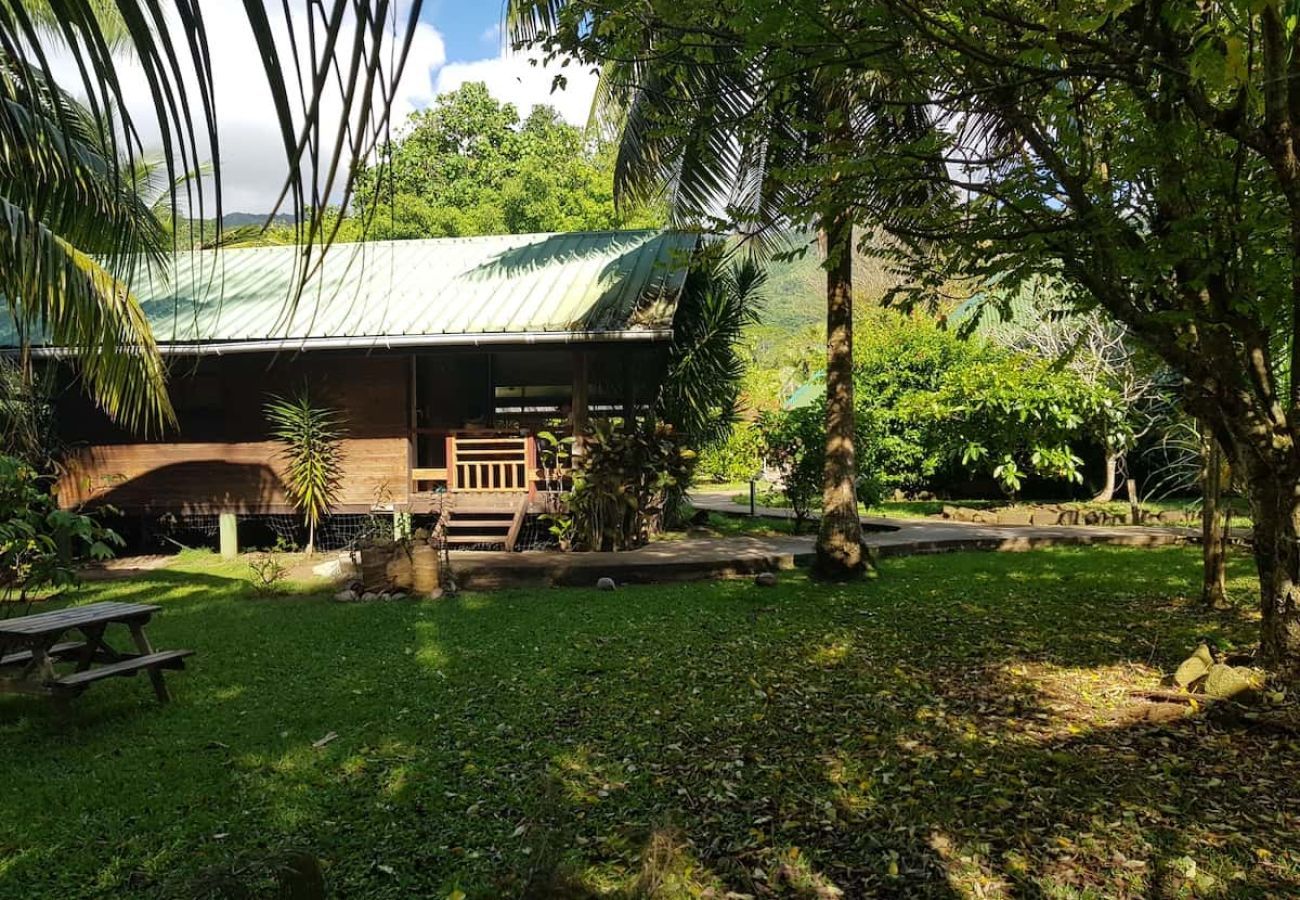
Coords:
314,448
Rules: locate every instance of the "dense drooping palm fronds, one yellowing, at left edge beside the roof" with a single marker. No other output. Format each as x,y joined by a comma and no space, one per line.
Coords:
71,227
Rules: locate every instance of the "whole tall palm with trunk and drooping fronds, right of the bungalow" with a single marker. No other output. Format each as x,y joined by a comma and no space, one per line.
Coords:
742,137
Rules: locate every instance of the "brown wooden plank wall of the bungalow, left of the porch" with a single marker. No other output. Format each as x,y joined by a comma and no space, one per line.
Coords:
220,460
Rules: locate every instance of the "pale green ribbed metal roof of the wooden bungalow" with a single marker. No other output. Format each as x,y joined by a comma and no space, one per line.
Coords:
605,285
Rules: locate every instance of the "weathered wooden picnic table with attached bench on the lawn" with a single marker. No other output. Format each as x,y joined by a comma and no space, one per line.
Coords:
32,646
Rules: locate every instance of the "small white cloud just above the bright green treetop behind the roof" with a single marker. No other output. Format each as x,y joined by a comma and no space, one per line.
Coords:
513,79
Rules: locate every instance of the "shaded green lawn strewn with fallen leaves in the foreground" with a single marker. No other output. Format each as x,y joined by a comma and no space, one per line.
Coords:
960,726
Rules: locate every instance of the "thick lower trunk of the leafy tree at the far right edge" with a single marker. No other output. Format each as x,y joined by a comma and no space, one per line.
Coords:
1276,508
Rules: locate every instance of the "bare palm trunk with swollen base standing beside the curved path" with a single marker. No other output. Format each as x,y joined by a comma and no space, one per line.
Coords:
839,547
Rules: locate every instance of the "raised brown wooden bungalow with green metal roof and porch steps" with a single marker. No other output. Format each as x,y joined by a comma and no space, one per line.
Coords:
445,358
